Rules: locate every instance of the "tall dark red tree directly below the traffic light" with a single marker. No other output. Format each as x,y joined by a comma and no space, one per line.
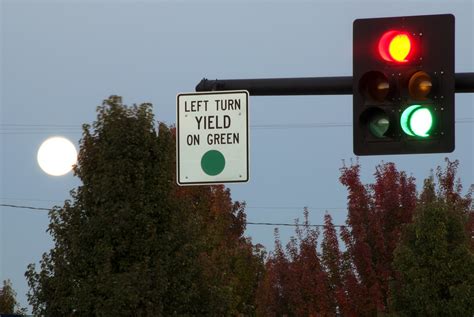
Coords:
376,214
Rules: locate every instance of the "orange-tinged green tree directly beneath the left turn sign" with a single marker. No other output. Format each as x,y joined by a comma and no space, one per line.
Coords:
231,265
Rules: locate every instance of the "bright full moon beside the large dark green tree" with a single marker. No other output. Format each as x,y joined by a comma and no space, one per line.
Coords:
56,156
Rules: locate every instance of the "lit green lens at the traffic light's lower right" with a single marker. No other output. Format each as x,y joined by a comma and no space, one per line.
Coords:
417,121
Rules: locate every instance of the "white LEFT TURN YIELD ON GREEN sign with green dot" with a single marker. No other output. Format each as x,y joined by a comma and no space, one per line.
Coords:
212,138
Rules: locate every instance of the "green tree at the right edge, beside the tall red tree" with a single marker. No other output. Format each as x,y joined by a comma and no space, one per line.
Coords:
434,259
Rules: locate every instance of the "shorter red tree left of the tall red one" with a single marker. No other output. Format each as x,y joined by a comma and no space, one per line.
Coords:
295,282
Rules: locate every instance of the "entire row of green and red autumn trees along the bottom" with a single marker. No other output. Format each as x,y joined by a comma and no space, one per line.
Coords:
132,242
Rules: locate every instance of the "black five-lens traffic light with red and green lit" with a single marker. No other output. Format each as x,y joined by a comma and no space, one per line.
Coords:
403,85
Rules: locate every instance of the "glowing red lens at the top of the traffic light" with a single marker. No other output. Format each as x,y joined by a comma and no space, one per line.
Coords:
395,46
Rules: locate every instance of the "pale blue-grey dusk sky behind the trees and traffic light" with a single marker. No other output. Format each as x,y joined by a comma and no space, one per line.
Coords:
61,59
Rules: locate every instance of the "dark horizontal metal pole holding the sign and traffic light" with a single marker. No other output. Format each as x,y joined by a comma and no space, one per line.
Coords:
306,86
